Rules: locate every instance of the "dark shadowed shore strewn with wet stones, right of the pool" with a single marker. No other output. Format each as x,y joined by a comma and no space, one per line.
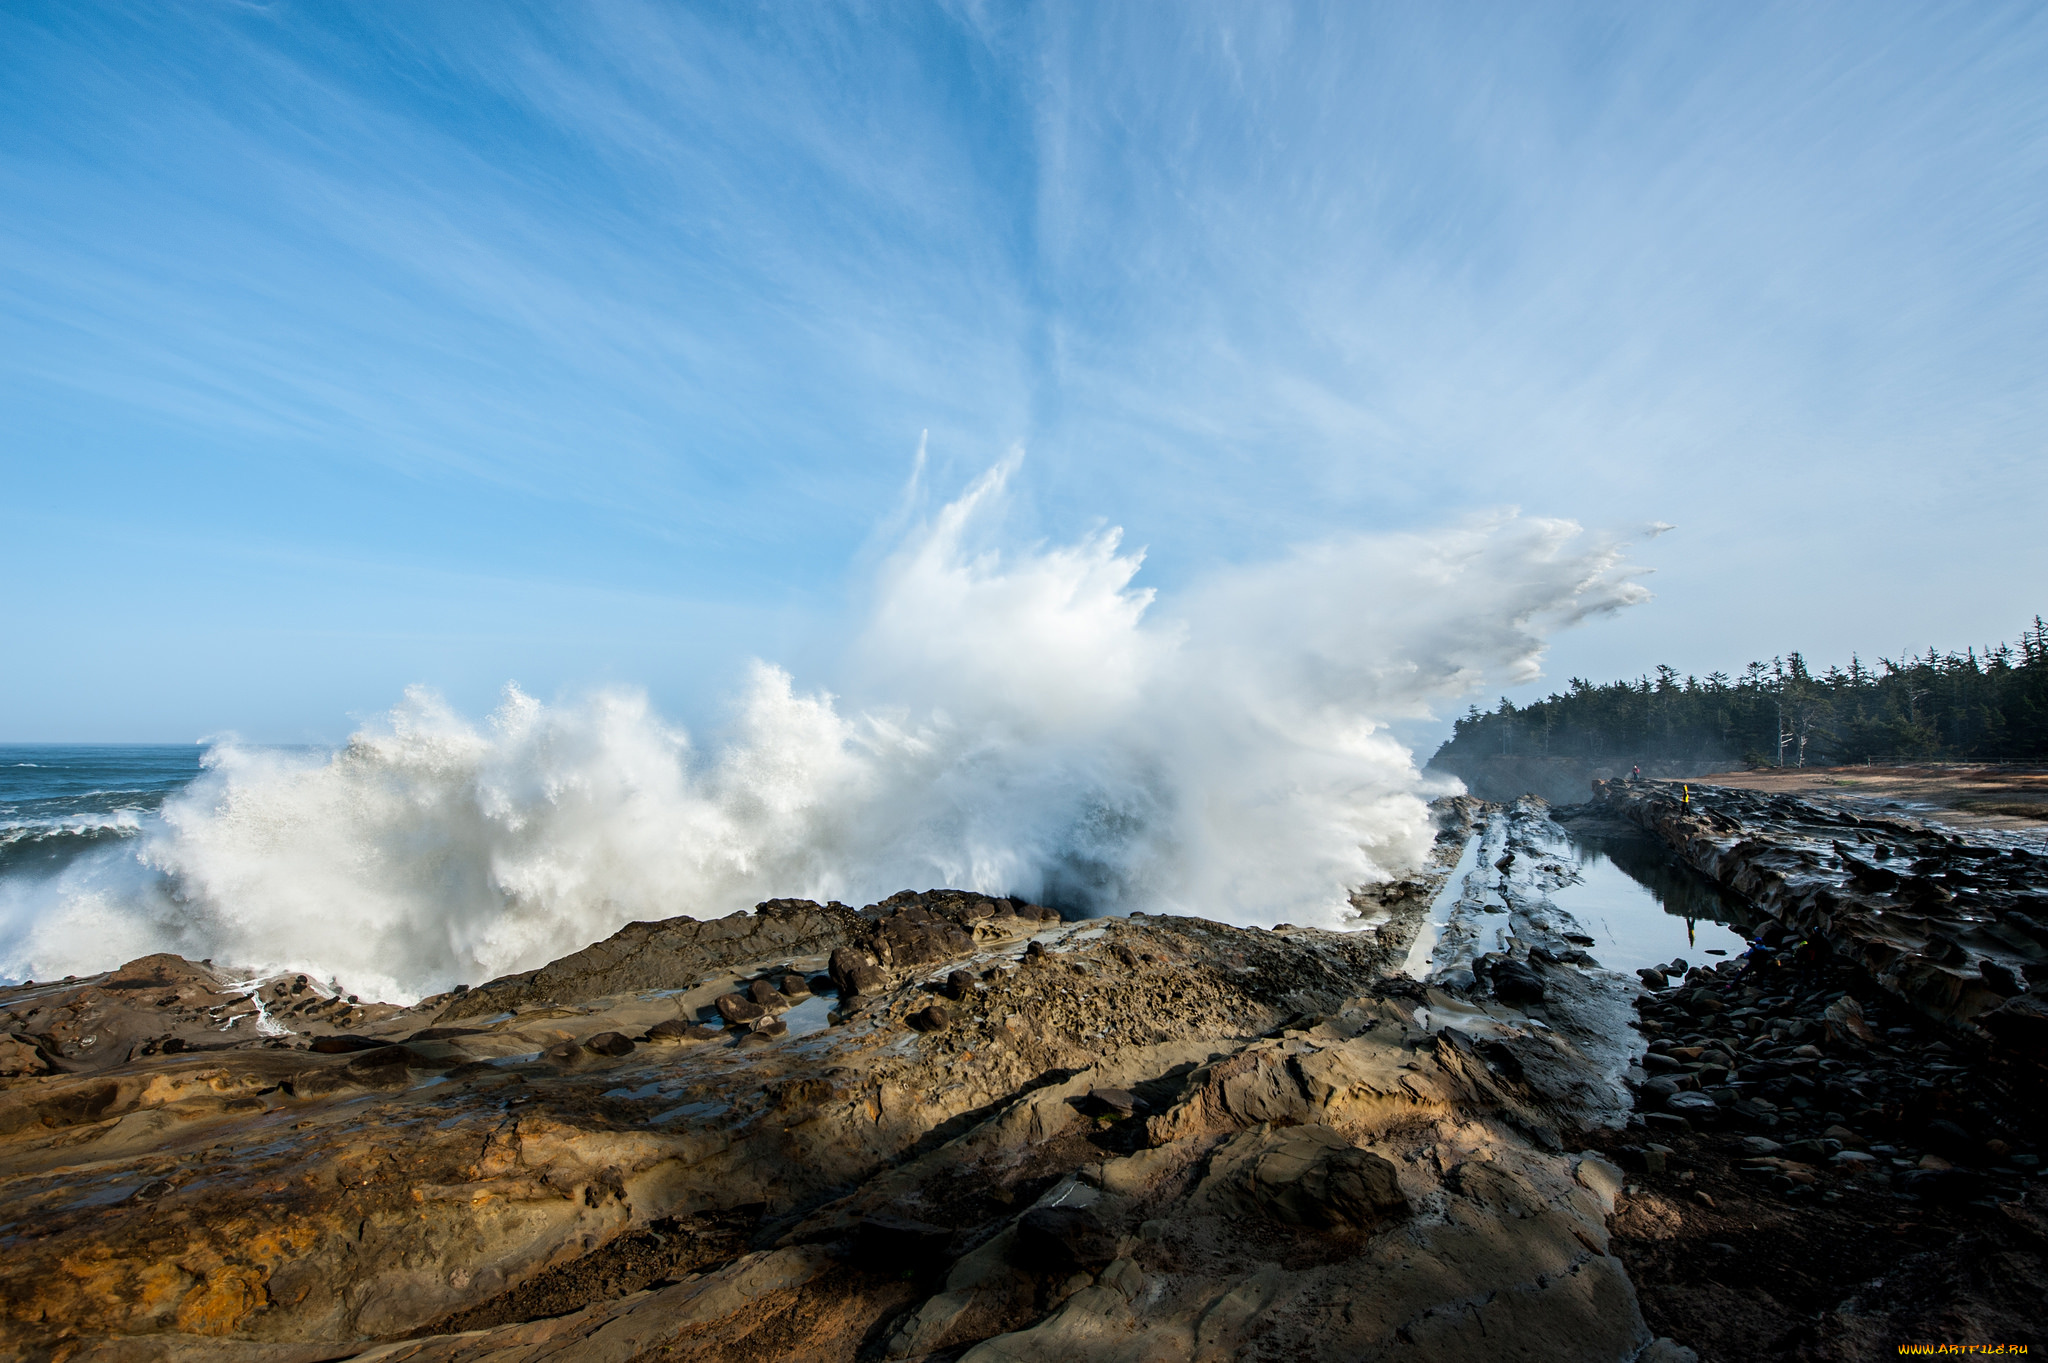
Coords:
1838,1141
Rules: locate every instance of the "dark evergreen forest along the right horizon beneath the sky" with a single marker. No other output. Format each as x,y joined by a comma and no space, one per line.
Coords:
1979,705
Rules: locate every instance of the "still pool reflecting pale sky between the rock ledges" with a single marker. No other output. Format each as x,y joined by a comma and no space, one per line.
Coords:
1641,908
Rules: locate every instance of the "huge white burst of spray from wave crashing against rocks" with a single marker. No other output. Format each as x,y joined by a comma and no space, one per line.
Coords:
1025,721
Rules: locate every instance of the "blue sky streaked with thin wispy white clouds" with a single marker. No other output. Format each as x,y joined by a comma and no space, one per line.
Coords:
353,347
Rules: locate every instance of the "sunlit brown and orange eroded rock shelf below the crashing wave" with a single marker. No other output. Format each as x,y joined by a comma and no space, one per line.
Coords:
1140,1139
